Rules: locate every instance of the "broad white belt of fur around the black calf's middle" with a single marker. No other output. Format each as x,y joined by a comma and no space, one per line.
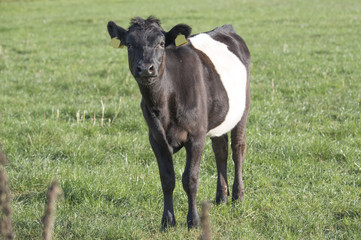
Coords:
233,75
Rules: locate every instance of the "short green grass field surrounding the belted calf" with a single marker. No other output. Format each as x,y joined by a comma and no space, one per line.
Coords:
59,76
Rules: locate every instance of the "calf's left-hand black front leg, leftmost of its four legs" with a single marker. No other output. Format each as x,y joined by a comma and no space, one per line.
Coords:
167,177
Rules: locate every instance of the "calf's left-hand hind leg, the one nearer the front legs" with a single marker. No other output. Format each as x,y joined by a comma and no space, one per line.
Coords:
220,149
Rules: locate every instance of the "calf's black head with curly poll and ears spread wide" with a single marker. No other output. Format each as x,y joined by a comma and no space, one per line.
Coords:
146,42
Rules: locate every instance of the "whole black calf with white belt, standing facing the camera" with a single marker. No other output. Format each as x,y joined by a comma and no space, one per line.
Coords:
190,92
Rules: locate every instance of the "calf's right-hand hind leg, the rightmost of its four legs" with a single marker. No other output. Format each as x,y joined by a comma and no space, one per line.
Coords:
238,145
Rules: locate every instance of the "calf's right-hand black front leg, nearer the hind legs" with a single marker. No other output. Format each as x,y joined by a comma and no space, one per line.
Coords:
194,148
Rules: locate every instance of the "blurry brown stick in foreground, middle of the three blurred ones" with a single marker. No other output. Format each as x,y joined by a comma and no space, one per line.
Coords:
49,215
